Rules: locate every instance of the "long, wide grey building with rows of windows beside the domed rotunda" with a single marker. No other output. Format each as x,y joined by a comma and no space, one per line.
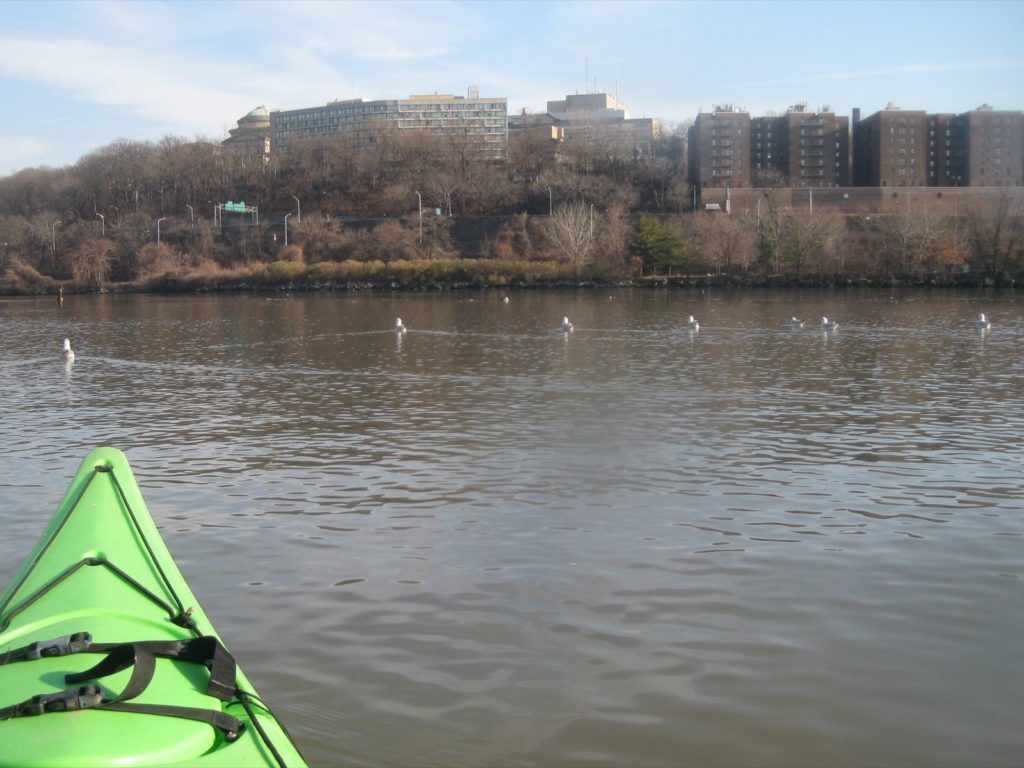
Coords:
482,122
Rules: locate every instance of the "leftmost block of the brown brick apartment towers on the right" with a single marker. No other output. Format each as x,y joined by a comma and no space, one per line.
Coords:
720,149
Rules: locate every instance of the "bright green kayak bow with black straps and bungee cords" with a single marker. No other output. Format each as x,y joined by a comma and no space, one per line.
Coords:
103,569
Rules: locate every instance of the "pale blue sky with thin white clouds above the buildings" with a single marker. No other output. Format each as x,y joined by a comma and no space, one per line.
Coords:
76,76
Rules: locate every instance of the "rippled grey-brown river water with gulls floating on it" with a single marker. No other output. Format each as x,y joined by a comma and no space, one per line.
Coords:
489,543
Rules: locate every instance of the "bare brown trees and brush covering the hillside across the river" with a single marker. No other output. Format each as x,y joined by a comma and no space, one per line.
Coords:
585,205
